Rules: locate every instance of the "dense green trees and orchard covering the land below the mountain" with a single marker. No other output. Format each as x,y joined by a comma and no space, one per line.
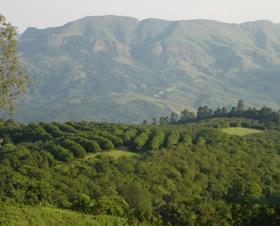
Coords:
192,174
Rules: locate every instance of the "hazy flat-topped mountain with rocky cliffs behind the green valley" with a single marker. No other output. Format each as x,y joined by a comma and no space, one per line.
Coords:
120,69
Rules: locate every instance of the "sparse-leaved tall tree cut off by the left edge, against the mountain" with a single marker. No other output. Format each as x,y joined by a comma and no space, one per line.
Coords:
13,81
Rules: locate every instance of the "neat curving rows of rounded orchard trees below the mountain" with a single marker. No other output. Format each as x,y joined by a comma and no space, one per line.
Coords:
66,141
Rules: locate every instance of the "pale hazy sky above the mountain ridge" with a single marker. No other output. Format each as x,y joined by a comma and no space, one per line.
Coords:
46,13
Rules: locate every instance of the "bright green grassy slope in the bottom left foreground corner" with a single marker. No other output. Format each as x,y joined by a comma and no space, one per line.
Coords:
44,216
